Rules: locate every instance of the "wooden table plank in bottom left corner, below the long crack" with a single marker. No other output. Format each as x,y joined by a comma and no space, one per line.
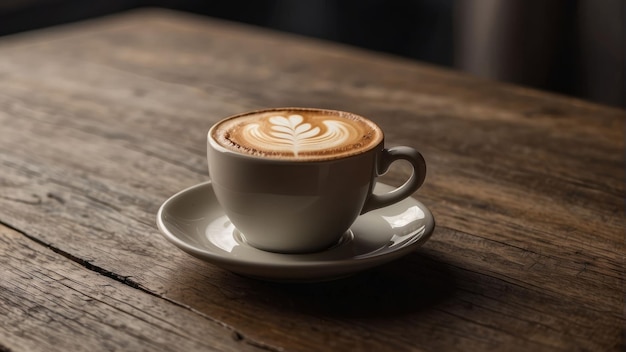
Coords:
55,304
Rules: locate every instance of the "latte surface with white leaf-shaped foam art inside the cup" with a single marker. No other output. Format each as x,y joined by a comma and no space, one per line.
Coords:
297,134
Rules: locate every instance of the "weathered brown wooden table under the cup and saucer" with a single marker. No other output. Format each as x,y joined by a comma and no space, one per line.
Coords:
101,121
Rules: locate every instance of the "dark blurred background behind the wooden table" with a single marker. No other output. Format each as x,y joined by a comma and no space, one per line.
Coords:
574,47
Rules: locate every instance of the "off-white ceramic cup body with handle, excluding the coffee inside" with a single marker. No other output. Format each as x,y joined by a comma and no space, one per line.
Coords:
300,206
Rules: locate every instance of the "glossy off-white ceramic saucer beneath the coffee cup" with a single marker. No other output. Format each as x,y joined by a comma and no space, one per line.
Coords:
194,221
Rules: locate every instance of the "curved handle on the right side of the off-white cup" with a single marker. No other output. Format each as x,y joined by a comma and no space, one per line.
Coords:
387,157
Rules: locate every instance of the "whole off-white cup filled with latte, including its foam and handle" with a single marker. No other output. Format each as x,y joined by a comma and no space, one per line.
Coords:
293,180
